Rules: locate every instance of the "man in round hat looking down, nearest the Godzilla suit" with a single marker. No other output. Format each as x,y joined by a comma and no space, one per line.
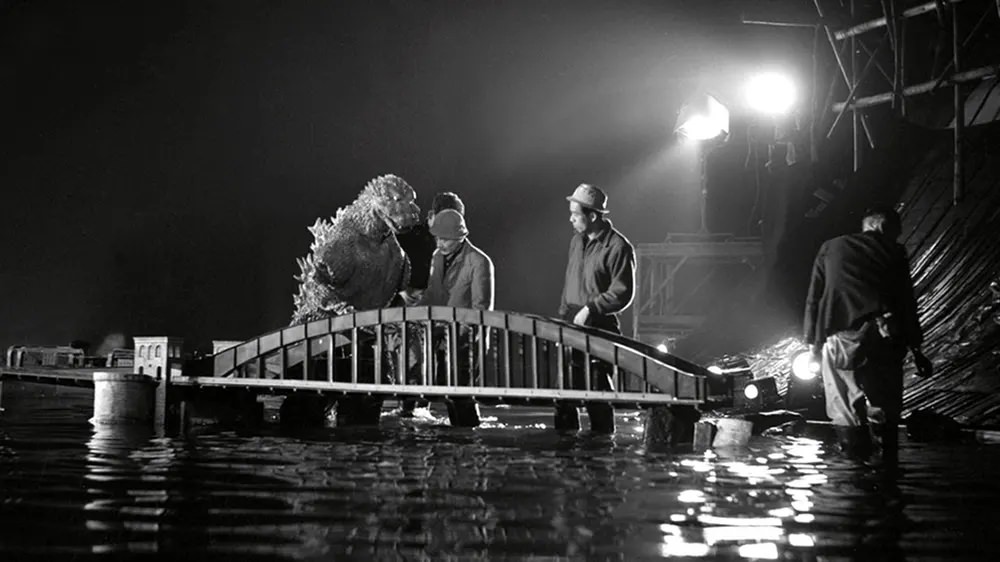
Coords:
461,276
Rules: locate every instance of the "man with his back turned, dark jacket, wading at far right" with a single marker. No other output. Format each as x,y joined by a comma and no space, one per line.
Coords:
860,318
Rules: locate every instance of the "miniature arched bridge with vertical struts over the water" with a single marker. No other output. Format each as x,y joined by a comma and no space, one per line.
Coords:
486,355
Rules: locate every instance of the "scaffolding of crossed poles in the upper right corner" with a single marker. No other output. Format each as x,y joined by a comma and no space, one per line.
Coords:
876,53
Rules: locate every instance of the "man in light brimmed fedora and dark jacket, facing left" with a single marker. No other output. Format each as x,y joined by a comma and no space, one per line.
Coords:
600,280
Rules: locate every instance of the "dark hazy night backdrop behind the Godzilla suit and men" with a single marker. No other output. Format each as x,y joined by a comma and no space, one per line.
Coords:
162,160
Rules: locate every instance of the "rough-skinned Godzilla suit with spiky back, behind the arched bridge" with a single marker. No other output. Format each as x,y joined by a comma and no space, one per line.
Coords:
355,262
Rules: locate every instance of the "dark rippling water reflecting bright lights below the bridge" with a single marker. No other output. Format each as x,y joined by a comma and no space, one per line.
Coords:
418,489
